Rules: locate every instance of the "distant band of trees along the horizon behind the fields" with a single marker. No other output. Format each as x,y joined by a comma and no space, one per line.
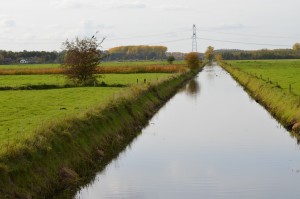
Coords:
149,53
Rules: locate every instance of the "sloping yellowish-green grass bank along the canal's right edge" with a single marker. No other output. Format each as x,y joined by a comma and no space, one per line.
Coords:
280,102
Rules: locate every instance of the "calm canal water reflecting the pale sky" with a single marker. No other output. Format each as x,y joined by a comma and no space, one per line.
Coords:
209,141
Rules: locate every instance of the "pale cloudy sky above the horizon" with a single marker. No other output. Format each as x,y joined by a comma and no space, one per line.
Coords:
45,24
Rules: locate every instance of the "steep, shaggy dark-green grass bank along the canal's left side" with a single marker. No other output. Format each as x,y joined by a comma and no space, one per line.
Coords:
64,154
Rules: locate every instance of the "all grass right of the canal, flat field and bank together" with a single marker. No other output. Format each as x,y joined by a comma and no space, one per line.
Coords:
268,86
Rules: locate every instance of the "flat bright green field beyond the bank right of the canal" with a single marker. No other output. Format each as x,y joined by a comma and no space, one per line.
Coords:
281,72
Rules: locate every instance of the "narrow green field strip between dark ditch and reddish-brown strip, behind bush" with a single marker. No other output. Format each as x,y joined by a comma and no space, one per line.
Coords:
60,80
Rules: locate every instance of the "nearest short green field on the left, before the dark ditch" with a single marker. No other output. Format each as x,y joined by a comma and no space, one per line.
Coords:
22,112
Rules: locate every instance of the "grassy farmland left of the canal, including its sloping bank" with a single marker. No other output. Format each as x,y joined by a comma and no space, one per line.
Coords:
57,129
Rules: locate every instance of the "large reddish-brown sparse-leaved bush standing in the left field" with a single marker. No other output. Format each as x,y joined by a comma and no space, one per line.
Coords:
82,57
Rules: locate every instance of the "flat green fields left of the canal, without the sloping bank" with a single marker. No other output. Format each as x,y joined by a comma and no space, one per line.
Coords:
22,112
